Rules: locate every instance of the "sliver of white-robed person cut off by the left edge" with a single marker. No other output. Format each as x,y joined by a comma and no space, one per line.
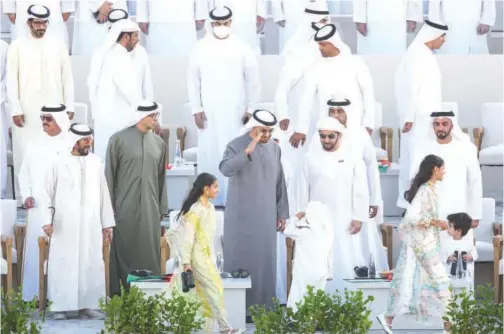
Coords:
4,47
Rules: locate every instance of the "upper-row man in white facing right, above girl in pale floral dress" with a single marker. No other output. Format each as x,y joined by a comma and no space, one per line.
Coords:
418,92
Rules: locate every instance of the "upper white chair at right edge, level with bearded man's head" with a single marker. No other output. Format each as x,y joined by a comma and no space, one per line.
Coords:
492,143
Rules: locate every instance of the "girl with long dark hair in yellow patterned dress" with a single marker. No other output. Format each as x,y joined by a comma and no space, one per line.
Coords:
196,250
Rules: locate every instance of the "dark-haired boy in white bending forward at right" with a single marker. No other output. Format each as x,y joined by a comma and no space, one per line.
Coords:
453,244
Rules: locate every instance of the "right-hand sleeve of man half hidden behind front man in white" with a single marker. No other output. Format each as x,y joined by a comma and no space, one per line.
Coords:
373,174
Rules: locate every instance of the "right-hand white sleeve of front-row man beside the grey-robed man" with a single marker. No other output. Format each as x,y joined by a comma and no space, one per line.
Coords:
360,195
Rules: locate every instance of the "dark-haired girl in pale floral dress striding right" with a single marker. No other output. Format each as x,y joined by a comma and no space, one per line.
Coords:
420,286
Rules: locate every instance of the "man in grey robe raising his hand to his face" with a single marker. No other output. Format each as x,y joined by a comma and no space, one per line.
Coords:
256,207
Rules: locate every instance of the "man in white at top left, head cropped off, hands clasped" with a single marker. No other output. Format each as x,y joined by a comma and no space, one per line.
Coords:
90,24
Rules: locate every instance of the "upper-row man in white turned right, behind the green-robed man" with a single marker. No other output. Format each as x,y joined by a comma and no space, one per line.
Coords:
114,91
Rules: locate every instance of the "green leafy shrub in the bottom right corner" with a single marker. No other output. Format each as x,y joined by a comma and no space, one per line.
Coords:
469,315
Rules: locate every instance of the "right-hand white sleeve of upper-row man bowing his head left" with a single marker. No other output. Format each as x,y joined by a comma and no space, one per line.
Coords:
367,92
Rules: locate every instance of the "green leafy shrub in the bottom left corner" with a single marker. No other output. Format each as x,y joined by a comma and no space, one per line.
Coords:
19,316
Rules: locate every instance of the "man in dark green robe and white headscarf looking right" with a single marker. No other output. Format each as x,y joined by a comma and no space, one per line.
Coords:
135,172
